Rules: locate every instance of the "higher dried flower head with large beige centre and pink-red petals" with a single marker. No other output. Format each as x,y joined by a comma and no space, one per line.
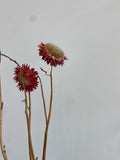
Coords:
52,54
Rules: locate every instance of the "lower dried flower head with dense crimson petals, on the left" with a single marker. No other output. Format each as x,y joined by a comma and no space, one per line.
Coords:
26,78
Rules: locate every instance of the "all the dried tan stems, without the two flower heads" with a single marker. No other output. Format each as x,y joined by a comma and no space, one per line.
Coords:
28,116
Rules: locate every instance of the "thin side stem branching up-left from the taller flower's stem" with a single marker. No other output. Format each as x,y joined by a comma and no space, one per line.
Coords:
44,105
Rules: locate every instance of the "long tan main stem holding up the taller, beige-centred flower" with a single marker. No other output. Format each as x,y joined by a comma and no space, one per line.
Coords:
49,116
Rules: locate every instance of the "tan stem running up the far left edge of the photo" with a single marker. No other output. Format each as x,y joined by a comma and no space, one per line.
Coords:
1,114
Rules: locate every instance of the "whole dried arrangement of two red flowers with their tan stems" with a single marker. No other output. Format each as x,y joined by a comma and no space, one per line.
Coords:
27,80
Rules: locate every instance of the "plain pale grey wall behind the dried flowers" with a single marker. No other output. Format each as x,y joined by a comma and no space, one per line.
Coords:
85,123
